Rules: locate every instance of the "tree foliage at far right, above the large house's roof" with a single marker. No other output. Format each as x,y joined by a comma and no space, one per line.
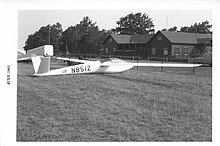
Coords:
203,27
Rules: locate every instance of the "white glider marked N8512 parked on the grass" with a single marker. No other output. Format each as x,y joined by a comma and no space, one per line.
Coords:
112,65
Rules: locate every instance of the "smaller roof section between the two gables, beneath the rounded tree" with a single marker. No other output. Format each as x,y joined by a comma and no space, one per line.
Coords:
127,39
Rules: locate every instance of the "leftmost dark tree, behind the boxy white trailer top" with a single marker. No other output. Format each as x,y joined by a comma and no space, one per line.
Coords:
44,36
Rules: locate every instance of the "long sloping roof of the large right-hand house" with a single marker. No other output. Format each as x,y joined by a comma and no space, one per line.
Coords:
186,38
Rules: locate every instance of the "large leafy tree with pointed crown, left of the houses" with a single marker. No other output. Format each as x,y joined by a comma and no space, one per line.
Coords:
82,38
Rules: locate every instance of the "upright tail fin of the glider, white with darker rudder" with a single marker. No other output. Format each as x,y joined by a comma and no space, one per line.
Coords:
41,64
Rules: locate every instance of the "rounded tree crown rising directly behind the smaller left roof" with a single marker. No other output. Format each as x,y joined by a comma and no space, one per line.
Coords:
133,24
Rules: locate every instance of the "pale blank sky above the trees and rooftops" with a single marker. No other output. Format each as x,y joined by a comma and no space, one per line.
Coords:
30,21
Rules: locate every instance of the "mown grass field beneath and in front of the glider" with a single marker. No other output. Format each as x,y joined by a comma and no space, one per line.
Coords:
141,104
